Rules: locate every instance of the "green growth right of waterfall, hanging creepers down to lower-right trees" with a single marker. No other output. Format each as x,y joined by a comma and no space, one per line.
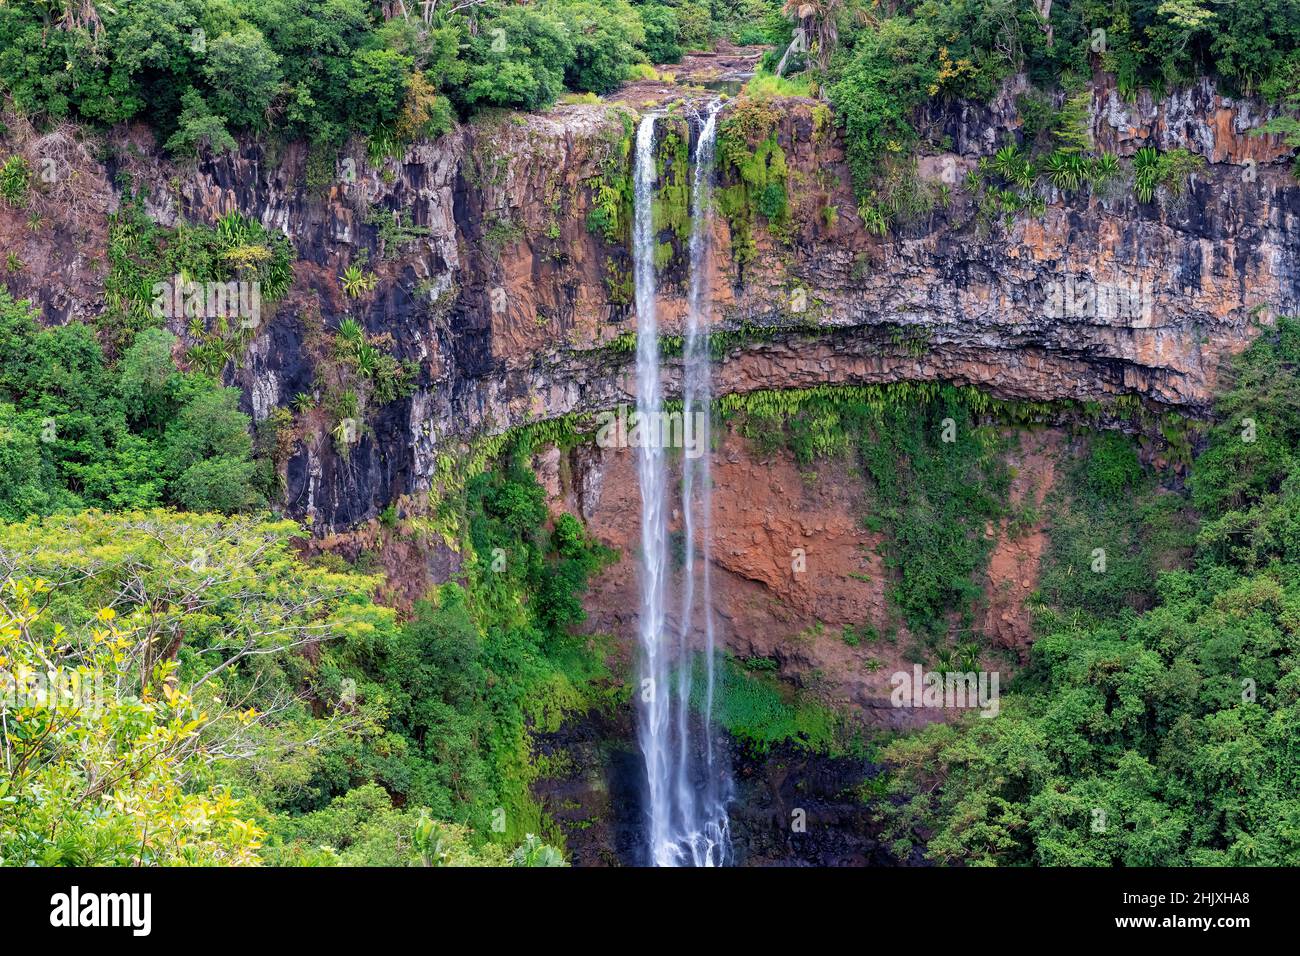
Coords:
1156,720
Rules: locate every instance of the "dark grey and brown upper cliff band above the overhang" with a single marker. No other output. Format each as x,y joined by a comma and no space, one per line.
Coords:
517,309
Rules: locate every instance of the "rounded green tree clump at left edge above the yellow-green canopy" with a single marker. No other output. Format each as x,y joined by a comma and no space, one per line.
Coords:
83,434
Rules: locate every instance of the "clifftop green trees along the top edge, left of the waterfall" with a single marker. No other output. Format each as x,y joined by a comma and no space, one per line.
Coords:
202,71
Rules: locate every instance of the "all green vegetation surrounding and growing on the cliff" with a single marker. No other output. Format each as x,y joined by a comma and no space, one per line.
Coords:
259,702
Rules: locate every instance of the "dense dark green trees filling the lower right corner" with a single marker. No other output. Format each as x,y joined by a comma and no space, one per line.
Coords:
1158,738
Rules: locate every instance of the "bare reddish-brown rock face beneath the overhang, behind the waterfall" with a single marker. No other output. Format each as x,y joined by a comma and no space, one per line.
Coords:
772,518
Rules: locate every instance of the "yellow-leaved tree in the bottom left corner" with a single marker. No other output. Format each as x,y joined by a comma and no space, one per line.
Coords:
94,769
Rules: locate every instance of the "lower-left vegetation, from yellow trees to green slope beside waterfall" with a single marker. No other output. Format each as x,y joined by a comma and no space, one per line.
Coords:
252,704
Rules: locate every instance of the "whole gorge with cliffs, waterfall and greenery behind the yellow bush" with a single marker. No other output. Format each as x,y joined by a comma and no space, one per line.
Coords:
857,432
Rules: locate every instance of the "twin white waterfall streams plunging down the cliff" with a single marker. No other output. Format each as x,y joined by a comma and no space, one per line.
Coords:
688,780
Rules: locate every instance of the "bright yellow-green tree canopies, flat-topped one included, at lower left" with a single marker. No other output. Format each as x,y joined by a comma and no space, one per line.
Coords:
144,616
